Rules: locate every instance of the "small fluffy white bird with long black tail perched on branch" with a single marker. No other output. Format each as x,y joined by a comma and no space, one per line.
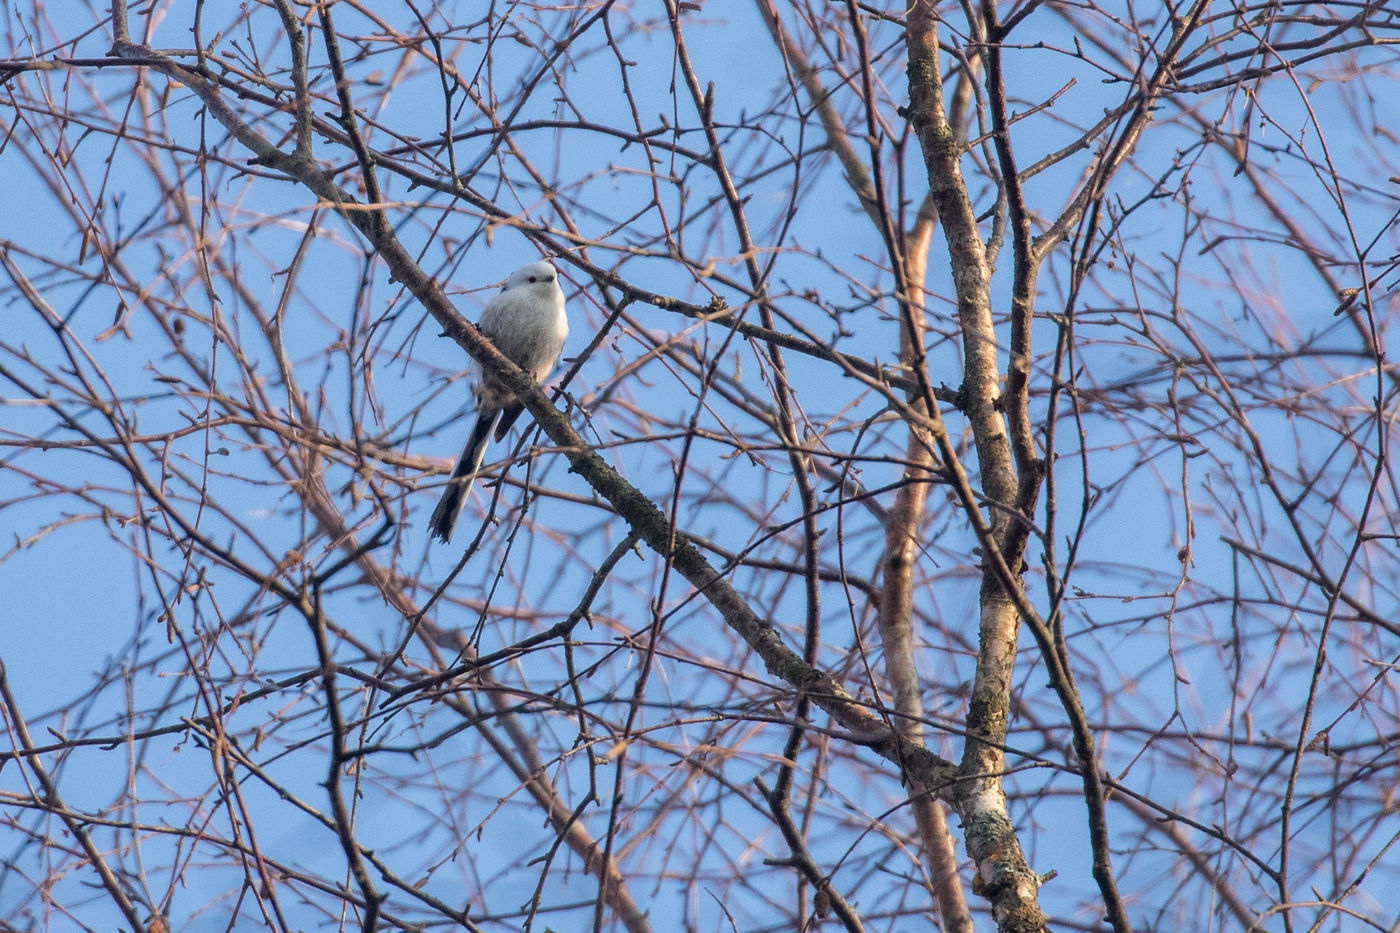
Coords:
527,323
